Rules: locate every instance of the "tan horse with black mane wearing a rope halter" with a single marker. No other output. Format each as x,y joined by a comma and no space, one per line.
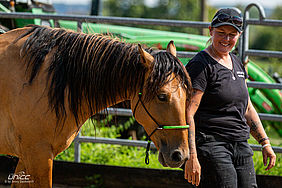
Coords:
52,80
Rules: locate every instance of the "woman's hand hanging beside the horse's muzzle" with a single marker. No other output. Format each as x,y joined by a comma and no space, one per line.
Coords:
193,170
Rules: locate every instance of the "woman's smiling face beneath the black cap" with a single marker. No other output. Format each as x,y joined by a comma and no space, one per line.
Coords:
224,38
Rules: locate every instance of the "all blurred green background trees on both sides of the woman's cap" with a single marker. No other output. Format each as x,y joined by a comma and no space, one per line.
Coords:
261,37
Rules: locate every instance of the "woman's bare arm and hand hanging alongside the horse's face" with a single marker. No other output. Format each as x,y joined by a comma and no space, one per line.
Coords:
192,166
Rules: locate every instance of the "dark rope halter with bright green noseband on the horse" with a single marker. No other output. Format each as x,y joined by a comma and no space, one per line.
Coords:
160,127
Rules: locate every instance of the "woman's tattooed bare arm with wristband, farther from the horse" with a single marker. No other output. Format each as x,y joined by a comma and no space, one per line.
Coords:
257,131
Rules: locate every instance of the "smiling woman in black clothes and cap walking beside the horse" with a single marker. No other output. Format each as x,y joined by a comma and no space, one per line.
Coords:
221,115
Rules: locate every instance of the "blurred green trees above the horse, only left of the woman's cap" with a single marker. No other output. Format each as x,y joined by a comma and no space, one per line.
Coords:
165,9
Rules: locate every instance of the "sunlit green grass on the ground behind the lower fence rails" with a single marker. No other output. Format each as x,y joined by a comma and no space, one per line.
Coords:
117,155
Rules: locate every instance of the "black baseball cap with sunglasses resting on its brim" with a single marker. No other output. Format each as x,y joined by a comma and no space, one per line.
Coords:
228,16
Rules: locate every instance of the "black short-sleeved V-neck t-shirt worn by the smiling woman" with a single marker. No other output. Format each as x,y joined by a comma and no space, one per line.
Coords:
225,99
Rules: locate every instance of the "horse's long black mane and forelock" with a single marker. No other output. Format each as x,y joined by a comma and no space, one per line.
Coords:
93,67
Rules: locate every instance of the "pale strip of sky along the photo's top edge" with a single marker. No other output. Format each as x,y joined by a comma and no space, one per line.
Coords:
264,3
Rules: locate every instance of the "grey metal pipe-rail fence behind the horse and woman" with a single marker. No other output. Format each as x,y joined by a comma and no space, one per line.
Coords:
244,52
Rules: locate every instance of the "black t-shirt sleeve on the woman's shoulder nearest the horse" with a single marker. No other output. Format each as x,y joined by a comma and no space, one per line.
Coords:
198,74
